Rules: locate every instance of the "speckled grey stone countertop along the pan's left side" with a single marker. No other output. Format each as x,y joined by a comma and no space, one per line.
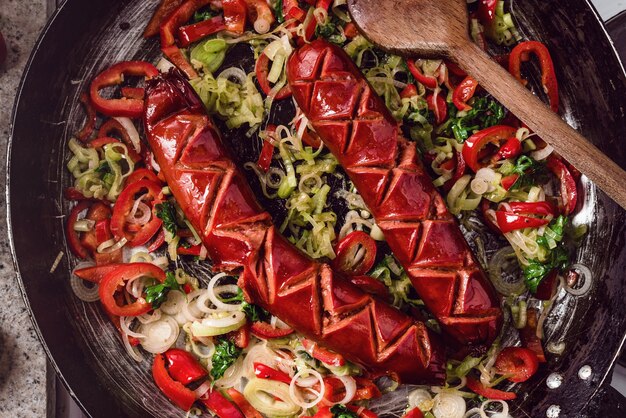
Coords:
22,359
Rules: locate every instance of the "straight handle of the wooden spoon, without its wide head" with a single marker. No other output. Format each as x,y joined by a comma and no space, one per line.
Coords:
547,124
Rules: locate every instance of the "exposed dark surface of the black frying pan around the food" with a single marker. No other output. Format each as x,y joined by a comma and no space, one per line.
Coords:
84,37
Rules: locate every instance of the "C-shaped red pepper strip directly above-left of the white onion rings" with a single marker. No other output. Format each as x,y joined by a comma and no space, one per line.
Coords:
118,277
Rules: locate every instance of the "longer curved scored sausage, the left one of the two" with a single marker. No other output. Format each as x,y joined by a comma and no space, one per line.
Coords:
240,237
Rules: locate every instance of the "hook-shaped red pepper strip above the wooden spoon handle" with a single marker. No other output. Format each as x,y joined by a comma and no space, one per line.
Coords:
521,53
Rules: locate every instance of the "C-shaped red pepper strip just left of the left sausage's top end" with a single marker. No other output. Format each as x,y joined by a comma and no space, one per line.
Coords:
114,75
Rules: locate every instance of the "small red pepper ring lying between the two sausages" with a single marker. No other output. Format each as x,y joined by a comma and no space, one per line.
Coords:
348,247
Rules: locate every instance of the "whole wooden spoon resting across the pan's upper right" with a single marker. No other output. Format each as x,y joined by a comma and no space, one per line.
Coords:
439,28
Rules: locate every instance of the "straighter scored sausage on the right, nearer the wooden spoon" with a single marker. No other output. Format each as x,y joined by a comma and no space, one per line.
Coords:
353,121
